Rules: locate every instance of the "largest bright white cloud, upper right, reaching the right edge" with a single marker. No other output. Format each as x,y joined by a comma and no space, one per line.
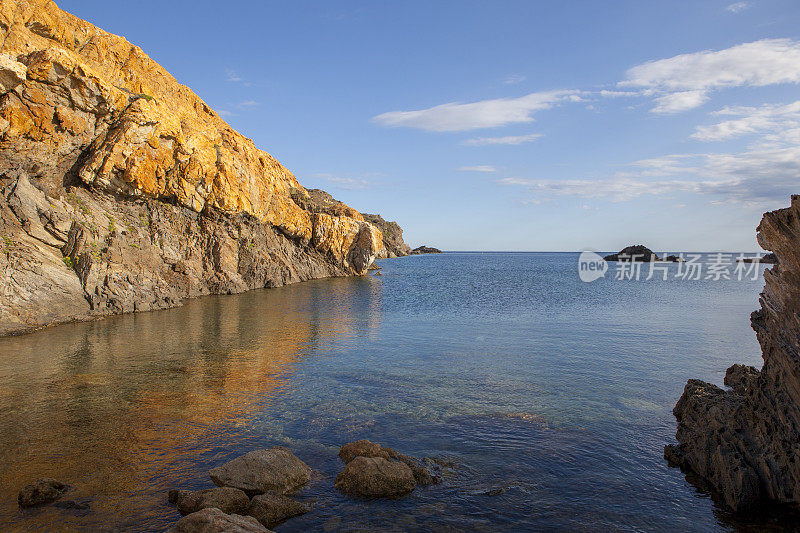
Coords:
683,82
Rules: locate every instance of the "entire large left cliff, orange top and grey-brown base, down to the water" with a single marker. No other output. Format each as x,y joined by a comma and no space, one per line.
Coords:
123,191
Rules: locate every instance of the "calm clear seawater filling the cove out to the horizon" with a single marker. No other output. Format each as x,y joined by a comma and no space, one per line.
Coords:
554,393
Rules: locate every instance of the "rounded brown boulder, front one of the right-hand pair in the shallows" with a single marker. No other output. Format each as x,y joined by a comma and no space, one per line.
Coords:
376,477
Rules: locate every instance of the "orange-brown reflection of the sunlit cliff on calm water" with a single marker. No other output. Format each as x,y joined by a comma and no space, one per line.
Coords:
127,407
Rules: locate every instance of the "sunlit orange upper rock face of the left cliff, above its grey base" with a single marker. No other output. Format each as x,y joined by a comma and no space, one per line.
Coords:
81,104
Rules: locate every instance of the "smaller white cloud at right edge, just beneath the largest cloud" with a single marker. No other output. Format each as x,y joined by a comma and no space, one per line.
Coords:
778,121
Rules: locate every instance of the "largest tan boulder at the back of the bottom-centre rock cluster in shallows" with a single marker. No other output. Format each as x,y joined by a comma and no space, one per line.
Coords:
274,470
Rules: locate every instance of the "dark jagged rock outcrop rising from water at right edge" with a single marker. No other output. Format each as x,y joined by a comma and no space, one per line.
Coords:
745,441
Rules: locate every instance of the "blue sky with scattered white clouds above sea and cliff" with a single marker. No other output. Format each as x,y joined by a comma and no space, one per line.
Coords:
509,125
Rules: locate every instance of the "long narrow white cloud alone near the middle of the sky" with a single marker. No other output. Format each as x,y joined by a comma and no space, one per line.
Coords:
483,114
